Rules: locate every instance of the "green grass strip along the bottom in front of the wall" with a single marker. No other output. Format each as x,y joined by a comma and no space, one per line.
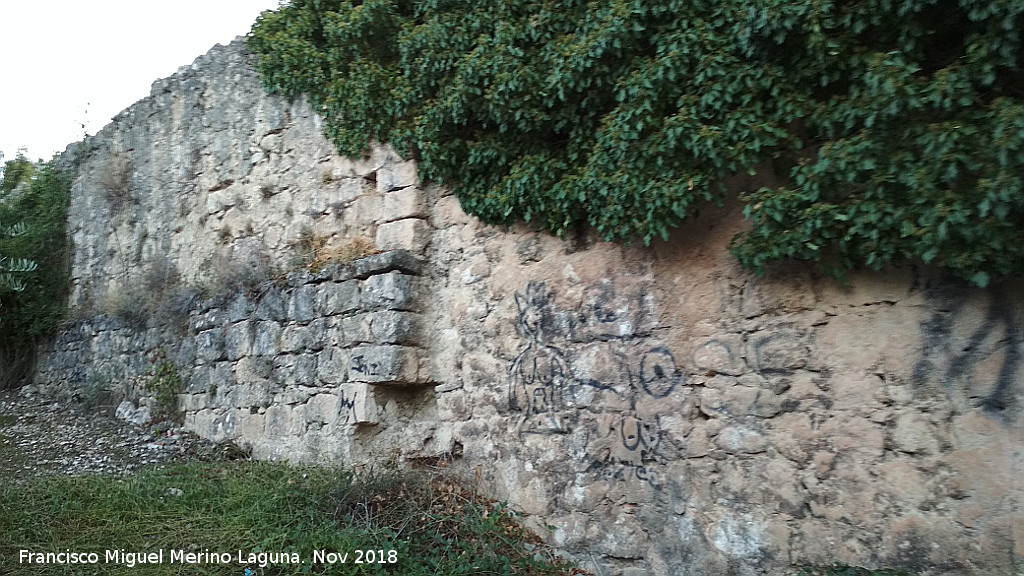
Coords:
435,526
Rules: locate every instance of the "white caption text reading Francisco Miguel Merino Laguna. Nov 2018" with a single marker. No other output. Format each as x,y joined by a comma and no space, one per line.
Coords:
206,557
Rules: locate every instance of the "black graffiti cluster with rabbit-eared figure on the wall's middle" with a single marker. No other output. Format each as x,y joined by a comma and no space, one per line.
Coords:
611,382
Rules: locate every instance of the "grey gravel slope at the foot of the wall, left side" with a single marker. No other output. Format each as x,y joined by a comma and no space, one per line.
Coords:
40,437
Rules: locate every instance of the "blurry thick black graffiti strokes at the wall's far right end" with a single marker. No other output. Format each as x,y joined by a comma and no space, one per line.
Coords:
974,348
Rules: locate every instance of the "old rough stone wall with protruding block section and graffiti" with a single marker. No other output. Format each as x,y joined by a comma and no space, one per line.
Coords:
651,410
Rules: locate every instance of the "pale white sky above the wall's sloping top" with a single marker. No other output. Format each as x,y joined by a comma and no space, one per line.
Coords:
68,63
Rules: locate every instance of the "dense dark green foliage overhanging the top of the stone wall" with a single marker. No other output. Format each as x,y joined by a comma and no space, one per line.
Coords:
899,127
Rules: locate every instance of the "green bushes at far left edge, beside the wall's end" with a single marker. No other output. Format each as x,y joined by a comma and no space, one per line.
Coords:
36,303
